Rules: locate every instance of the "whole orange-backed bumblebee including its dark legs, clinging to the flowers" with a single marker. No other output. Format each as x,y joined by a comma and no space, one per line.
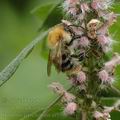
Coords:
60,39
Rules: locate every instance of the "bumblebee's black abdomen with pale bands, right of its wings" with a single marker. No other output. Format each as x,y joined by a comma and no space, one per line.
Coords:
67,63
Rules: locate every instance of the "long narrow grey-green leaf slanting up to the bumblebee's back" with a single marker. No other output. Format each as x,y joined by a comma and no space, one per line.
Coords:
9,70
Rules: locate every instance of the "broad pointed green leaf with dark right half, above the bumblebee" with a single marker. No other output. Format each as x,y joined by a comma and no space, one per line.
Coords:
48,13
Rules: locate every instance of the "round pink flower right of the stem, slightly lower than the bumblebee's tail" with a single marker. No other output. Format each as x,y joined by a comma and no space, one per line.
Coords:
104,76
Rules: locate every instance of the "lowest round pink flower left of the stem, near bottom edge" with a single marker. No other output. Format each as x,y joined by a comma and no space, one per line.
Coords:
70,108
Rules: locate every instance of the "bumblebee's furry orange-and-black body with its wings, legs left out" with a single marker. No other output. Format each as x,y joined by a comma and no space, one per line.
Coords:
59,55
